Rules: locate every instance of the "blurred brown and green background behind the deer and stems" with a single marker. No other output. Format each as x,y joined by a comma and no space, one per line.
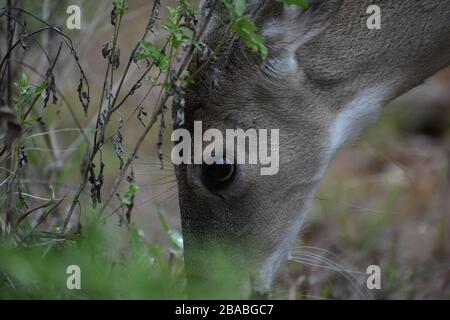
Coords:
384,201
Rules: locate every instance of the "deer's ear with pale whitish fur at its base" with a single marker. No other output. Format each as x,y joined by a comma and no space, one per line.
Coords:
291,28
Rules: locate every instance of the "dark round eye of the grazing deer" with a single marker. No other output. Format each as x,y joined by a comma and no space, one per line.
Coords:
218,175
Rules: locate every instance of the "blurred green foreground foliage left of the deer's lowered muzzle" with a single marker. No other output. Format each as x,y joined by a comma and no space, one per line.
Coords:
38,270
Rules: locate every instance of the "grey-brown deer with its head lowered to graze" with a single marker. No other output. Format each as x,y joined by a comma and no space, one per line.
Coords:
326,77
